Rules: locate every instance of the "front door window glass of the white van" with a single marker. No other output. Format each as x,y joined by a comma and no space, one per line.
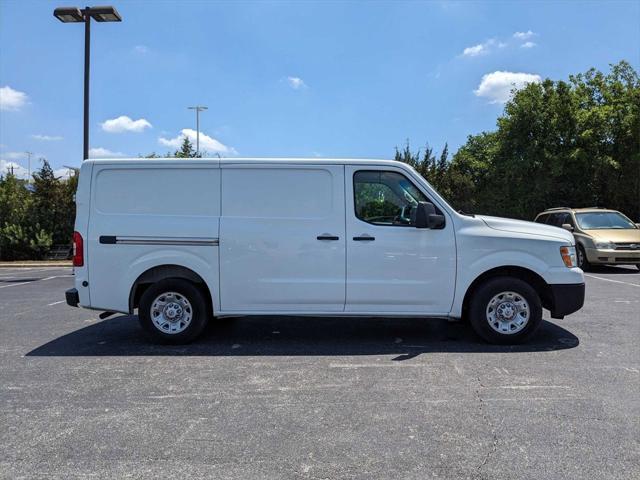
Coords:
385,198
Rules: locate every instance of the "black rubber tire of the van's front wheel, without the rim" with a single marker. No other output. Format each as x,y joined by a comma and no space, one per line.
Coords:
480,302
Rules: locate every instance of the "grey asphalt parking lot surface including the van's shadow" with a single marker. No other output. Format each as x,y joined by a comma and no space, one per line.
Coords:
316,398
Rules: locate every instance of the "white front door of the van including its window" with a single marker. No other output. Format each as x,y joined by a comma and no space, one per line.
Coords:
391,265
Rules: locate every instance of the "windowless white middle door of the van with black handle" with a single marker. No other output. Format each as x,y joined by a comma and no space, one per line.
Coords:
282,238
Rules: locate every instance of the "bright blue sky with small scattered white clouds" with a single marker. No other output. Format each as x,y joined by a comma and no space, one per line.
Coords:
333,79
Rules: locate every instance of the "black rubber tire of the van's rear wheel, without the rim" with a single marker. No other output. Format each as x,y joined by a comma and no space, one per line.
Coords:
194,296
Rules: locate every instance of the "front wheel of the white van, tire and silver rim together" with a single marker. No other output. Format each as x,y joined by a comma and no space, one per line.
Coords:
505,310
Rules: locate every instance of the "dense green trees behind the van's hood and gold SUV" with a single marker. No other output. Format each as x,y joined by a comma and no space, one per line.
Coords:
572,143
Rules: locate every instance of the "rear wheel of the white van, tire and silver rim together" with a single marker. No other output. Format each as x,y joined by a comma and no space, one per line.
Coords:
173,311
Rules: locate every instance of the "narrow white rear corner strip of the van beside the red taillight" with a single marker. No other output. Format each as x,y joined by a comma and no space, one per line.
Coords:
83,197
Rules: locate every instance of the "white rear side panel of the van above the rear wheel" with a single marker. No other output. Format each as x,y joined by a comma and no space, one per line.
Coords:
147,215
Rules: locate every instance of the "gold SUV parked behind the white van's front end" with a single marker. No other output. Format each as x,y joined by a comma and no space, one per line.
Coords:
603,236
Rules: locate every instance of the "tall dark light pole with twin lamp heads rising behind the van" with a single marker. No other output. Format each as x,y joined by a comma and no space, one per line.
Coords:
76,15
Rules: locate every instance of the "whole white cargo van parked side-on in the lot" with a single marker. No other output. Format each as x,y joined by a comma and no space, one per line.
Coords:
185,240
